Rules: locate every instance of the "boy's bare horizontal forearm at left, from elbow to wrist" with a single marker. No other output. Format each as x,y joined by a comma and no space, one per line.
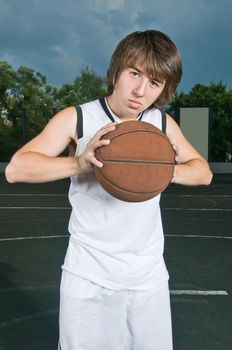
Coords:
32,167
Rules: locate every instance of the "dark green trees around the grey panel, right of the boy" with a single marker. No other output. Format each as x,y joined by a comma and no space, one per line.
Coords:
219,99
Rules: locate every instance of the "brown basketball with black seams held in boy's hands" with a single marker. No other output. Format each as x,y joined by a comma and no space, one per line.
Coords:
138,164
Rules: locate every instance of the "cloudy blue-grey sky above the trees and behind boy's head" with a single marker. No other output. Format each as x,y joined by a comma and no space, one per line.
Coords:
60,37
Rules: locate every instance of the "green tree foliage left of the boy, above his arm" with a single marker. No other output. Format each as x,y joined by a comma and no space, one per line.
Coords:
28,102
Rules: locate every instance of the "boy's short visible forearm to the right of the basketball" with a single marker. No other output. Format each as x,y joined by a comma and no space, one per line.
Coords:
193,172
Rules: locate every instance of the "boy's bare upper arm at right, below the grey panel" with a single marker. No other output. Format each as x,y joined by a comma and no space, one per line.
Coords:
186,151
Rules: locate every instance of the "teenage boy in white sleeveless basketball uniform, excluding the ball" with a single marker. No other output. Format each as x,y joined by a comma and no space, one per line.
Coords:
114,291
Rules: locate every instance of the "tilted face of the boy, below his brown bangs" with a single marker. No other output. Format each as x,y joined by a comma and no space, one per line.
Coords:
134,92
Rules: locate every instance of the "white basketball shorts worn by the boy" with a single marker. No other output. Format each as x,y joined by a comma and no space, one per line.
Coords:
96,318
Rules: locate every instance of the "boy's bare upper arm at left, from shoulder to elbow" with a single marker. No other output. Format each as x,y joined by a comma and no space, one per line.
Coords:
57,134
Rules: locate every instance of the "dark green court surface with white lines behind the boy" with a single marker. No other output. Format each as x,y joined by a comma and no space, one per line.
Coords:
198,253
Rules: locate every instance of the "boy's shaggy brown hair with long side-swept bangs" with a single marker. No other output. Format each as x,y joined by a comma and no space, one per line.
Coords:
156,53
